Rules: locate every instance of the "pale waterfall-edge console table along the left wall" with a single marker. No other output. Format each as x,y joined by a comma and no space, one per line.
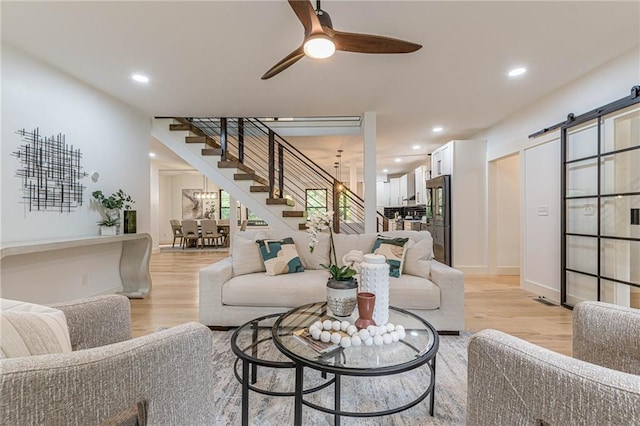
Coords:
134,260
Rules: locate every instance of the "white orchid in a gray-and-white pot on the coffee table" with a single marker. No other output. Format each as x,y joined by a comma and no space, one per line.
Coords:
342,287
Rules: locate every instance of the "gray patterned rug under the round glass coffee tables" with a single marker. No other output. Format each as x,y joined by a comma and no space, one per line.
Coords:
367,394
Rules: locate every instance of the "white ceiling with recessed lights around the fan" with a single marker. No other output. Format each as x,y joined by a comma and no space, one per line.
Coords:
206,59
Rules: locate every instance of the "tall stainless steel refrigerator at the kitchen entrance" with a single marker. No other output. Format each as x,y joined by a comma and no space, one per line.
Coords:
438,212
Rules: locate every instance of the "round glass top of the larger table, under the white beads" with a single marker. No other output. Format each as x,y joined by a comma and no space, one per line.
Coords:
418,346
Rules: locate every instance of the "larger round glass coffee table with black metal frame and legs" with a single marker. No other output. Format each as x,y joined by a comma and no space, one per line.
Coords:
418,349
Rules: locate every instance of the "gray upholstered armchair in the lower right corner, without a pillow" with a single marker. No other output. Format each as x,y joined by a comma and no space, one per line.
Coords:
513,382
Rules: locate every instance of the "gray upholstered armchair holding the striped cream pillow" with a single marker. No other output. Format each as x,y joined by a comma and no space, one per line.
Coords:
109,377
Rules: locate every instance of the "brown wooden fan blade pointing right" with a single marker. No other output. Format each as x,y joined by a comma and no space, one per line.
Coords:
365,43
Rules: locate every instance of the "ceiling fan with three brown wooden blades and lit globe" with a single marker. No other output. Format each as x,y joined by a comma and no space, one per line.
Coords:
321,40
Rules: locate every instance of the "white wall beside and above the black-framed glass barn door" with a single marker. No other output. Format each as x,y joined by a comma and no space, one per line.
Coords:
540,173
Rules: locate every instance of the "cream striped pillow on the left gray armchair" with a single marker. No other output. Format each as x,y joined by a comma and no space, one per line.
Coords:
29,329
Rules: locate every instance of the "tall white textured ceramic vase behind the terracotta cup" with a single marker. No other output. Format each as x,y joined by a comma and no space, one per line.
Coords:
374,276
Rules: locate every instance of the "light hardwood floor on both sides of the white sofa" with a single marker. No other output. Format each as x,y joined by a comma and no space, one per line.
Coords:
490,302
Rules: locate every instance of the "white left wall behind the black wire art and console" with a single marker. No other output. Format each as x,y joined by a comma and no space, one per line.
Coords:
113,139
